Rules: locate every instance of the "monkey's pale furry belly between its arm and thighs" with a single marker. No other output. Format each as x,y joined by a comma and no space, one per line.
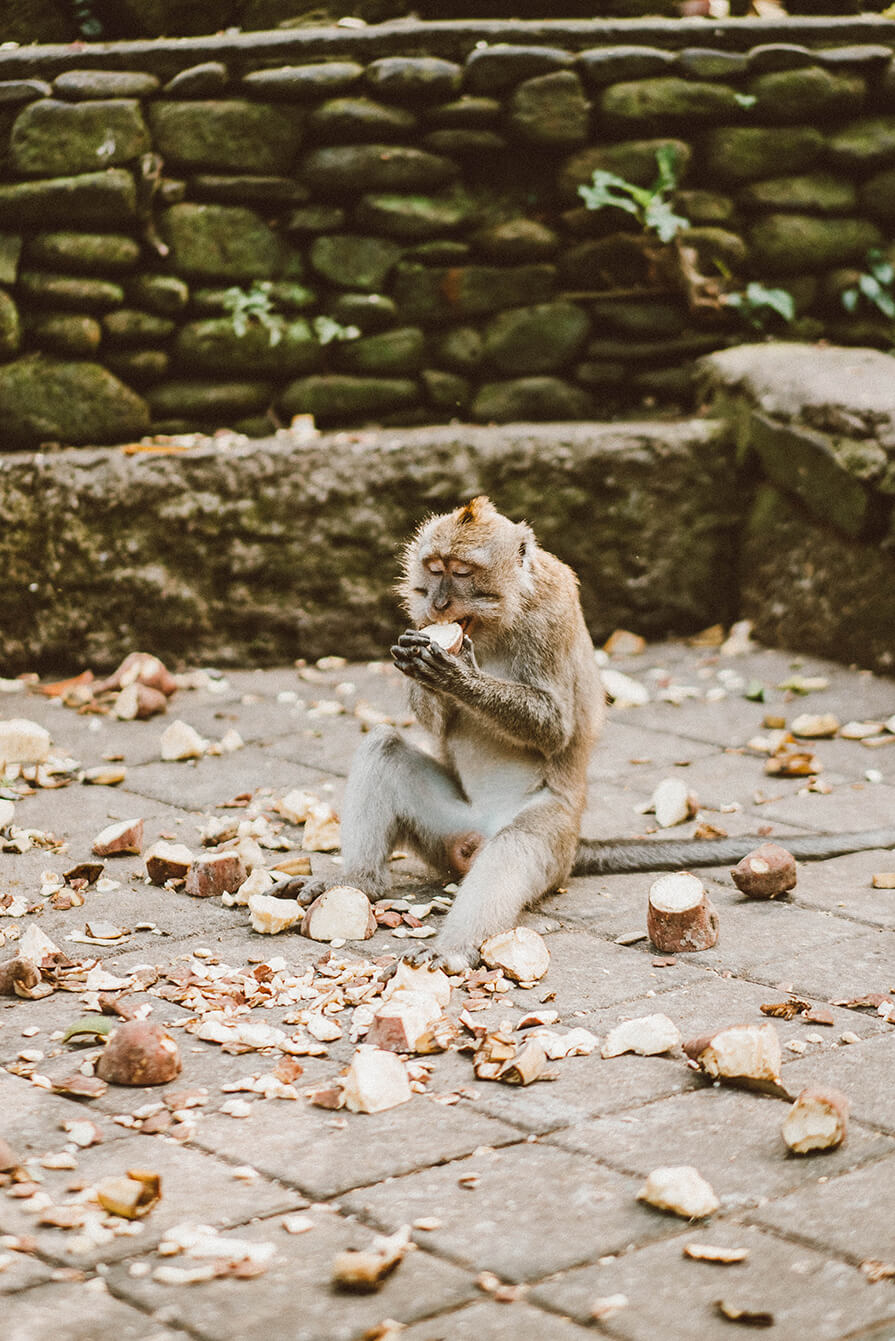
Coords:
497,778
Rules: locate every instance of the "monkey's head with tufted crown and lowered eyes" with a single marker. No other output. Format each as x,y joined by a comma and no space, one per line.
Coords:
472,567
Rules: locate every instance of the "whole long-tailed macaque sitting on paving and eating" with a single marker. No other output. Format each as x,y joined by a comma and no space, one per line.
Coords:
515,715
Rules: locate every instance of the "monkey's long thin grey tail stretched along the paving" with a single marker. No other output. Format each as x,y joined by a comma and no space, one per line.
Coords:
627,856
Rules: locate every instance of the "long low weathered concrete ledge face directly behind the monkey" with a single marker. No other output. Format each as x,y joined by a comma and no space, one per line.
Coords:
274,549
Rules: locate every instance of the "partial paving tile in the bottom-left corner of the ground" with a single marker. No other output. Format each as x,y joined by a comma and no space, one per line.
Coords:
80,1312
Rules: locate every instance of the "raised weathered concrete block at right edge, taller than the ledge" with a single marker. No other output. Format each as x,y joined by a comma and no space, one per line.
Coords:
817,427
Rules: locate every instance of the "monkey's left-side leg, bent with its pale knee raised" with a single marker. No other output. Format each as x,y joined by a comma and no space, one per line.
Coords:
399,796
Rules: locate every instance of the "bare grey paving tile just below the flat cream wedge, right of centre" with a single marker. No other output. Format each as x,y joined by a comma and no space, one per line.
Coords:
587,1087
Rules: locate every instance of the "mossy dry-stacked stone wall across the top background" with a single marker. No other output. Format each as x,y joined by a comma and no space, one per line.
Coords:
238,231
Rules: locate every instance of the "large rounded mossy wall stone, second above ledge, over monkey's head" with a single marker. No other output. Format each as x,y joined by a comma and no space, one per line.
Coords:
536,340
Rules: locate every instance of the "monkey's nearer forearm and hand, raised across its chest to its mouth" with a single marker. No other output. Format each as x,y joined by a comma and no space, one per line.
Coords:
524,714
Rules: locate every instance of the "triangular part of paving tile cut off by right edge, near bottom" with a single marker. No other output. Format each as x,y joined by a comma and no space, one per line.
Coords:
849,1216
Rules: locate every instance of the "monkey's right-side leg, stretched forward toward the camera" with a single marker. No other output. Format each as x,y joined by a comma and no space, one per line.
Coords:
515,868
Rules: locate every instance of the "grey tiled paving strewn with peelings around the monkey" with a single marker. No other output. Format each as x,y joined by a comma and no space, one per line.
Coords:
536,1187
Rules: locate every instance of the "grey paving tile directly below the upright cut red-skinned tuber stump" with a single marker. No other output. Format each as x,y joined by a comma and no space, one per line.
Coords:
587,974
